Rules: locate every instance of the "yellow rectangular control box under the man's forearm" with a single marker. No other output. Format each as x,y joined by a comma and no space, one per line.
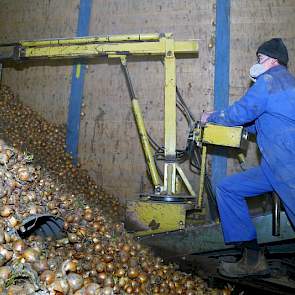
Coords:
222,135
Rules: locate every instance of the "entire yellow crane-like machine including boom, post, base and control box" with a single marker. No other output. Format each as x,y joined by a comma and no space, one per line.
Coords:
166,208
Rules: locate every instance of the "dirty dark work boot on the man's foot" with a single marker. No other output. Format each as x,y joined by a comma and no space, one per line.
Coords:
252,263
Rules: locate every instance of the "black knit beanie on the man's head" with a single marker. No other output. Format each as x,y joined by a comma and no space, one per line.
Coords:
275,48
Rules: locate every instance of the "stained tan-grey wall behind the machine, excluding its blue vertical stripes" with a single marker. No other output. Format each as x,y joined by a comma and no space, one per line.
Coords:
109,146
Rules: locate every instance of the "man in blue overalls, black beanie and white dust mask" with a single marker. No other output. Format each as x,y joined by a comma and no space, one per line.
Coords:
268,109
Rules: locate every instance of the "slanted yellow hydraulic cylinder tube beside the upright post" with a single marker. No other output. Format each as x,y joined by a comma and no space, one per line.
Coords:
145,143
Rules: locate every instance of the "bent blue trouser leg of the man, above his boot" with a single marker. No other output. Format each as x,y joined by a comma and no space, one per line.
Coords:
231,194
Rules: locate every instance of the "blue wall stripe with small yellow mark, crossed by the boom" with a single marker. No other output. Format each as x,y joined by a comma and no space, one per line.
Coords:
77,86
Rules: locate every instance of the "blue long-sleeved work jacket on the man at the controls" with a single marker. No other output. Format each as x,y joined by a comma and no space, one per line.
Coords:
268,107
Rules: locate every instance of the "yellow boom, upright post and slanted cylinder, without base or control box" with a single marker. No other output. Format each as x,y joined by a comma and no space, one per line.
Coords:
122,46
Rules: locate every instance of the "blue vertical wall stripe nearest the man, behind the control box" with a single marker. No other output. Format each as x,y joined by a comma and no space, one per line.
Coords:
221,80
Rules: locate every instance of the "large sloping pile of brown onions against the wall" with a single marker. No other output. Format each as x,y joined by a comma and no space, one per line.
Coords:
96,256
